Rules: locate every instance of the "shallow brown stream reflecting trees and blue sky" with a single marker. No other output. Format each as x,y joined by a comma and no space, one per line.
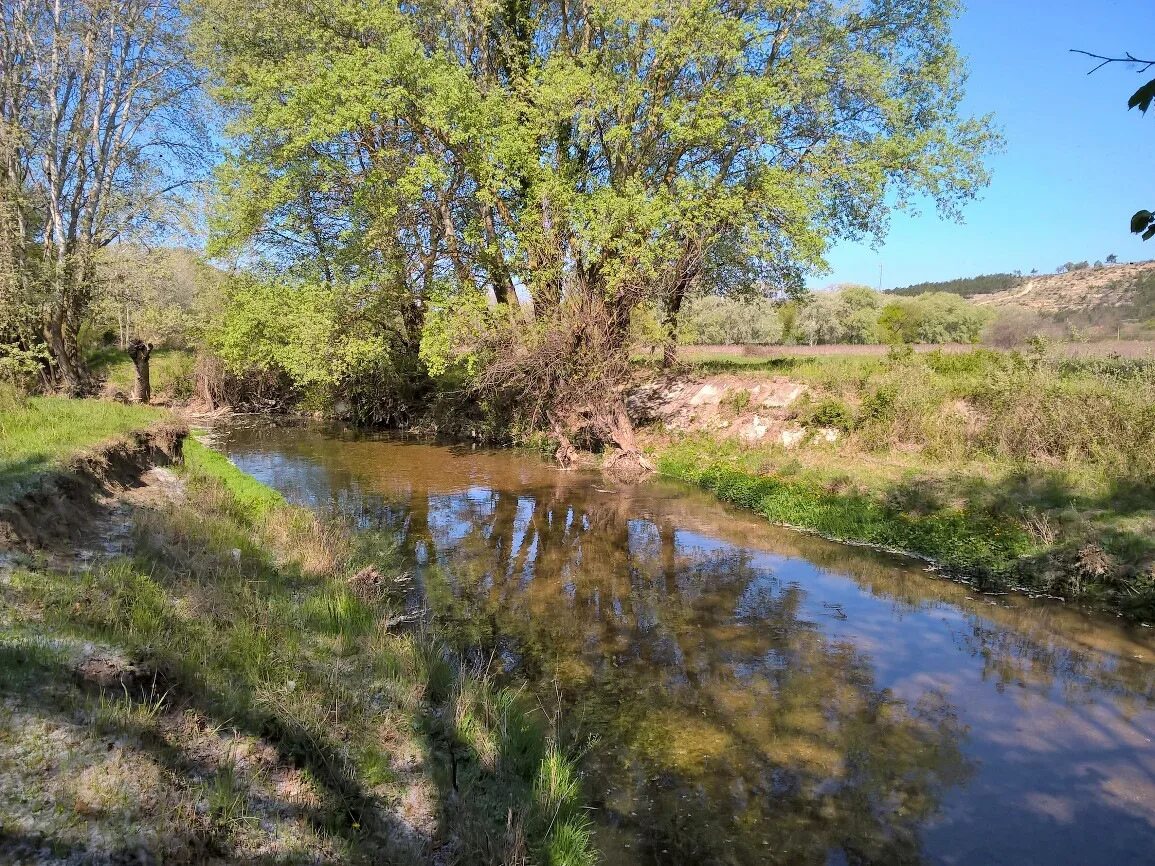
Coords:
759,696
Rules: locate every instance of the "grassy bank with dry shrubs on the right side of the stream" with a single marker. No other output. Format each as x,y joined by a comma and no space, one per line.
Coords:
1009,469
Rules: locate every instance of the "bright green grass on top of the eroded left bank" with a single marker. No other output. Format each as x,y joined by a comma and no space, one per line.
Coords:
40,435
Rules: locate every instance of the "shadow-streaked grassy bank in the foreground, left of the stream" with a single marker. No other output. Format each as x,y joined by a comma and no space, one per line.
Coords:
247,686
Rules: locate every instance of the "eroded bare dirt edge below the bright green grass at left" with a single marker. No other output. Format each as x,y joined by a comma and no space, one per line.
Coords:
68,501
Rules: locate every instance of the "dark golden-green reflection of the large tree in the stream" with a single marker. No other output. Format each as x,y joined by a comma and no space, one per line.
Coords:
732,730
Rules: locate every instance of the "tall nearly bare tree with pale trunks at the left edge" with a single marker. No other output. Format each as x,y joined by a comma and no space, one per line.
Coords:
96,124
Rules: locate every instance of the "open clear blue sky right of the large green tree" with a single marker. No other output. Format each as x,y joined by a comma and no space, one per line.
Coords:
1077,163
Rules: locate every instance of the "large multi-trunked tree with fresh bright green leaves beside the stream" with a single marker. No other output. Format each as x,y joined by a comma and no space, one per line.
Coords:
567,161
